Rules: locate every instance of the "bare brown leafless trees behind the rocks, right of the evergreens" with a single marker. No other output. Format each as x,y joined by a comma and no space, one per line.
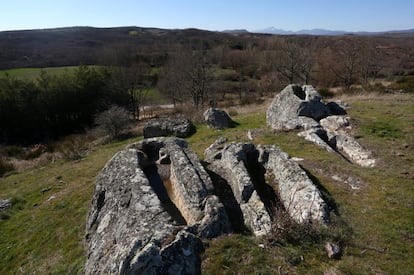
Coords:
199,74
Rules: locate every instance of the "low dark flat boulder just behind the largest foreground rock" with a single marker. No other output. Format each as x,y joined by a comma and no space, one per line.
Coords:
178,126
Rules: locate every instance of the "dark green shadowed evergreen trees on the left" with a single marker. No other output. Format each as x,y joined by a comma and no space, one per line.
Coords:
56,105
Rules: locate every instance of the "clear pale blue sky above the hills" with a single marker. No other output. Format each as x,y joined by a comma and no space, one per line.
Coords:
348,15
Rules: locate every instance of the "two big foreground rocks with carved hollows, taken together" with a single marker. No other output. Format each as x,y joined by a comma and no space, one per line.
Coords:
154,202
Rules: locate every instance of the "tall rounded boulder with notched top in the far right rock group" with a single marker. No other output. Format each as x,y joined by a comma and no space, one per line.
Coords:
294,102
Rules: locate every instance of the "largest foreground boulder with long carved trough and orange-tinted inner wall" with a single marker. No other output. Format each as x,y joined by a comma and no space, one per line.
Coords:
151,201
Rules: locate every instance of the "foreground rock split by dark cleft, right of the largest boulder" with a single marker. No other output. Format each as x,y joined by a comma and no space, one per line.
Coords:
245,168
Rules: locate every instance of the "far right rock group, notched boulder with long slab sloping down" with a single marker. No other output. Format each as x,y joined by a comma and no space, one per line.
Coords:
297,107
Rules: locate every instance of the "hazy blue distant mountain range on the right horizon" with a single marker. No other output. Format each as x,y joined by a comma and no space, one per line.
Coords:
273,30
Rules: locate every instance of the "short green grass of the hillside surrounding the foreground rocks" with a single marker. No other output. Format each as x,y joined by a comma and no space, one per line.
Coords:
45,230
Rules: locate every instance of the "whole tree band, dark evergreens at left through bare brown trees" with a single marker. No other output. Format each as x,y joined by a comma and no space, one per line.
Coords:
198,73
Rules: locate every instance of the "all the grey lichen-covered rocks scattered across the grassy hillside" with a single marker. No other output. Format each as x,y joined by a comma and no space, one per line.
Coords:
155,201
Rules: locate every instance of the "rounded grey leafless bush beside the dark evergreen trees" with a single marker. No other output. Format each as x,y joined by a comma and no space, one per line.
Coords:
113,121
